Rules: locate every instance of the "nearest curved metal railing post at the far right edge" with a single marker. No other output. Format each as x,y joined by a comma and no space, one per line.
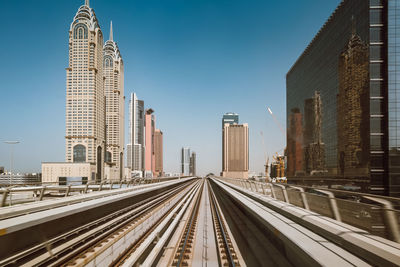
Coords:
390,219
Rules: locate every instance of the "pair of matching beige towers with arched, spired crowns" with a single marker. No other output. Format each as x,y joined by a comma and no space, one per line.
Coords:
94,98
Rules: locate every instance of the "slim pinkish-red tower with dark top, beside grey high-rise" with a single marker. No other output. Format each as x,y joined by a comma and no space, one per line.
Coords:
149,143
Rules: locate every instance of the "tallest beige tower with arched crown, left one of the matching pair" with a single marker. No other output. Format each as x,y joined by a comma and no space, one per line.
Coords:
85,99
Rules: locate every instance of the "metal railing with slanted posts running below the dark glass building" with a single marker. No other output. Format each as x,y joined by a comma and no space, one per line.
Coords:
371,213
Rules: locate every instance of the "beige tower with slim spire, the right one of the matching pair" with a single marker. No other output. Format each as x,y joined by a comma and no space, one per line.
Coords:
113,69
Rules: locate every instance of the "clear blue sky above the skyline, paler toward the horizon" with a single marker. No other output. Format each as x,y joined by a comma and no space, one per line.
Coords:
189,60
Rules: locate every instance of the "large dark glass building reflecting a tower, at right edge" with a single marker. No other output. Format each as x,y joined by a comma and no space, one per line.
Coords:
352,63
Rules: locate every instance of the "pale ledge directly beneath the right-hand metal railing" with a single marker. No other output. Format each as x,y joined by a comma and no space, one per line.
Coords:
371,249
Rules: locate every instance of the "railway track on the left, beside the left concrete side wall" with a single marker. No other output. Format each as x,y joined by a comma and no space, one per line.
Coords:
71,244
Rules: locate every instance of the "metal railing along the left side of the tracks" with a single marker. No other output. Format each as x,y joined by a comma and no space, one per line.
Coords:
40,190
